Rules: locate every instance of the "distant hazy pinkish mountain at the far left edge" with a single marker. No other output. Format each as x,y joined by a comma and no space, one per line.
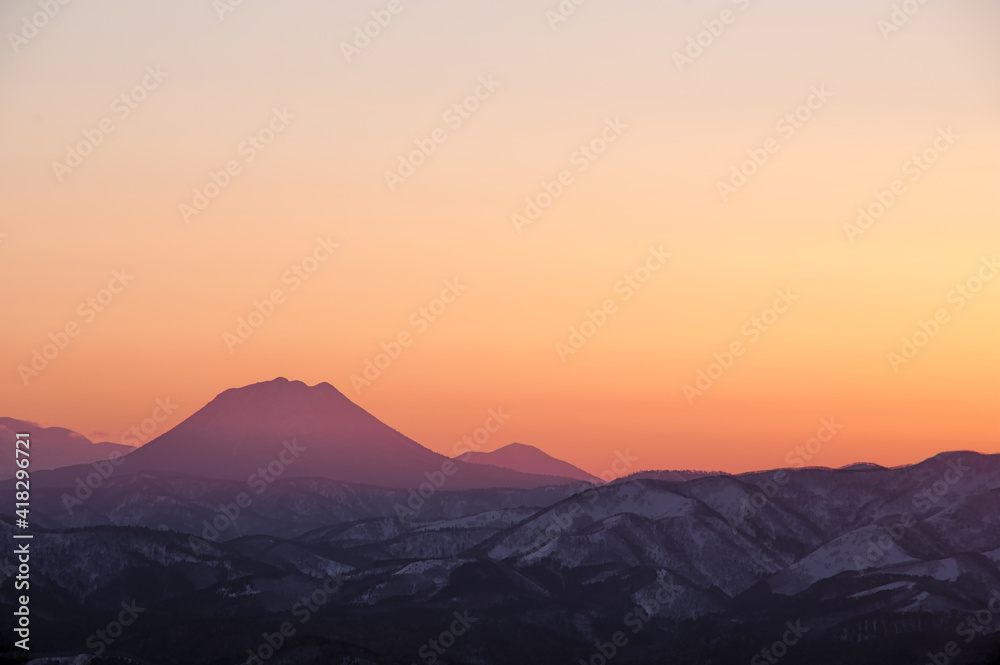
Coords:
52,447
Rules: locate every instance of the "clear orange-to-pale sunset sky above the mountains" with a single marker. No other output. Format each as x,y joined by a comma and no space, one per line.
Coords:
706,235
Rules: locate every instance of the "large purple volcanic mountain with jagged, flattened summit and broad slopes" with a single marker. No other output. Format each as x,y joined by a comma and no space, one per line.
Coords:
288,429
